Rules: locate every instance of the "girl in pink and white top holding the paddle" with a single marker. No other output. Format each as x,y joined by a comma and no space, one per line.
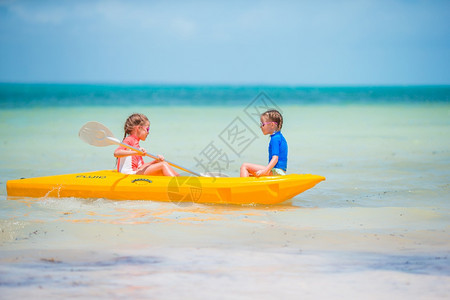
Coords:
137,127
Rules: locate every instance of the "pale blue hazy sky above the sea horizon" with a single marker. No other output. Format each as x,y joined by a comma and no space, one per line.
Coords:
226,42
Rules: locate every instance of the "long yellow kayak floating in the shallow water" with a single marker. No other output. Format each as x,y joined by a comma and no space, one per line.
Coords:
117,186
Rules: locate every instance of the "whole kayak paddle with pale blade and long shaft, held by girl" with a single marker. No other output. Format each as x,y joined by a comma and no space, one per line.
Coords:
99,135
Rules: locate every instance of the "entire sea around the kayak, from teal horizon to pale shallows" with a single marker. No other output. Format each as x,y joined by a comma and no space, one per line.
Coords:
378,227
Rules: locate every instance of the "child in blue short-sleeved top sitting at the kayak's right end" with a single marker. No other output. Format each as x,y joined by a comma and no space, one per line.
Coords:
271,123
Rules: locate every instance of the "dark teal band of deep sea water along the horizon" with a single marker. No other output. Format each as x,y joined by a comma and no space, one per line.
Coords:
19,95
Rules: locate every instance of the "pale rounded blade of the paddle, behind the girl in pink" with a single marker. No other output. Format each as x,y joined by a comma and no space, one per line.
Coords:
97,134
